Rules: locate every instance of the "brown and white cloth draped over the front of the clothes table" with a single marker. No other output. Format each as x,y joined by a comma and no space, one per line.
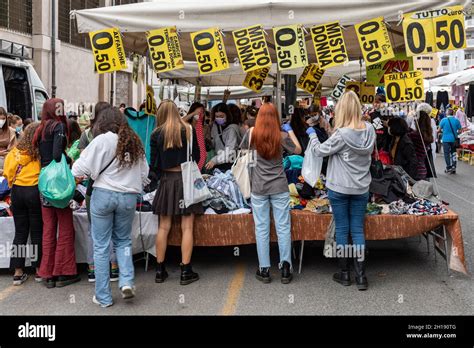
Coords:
233,230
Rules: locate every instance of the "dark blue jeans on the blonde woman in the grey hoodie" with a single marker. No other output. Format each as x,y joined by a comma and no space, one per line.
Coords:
349,216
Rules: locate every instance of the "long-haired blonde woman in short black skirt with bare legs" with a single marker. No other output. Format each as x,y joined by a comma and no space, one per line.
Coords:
168,146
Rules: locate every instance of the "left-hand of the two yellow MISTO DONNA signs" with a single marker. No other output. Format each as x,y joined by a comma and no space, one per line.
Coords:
252,48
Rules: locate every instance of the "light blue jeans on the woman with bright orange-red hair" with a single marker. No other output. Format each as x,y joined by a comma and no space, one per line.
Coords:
280,204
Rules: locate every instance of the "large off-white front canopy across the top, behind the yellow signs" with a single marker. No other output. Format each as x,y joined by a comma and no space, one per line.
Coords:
190,16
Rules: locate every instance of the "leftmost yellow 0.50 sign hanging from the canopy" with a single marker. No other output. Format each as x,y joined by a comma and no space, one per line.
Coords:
109,54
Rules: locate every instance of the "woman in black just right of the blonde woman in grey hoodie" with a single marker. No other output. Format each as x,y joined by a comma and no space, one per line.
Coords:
402,149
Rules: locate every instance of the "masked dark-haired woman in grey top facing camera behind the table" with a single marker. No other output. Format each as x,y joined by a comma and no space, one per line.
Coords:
225,134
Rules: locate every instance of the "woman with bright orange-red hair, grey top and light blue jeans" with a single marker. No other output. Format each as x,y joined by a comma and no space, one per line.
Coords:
269,188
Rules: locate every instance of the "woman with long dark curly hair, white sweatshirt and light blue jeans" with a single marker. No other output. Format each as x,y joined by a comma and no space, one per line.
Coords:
116,161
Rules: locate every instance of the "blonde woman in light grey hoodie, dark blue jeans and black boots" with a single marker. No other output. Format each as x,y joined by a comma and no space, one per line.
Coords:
348,179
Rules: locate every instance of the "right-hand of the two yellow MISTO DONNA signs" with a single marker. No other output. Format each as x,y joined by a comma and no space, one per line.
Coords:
329,45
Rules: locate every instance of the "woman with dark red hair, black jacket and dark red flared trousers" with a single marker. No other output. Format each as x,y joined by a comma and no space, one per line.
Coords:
58,263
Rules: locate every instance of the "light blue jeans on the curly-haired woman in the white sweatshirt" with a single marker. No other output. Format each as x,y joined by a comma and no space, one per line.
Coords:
112,216
